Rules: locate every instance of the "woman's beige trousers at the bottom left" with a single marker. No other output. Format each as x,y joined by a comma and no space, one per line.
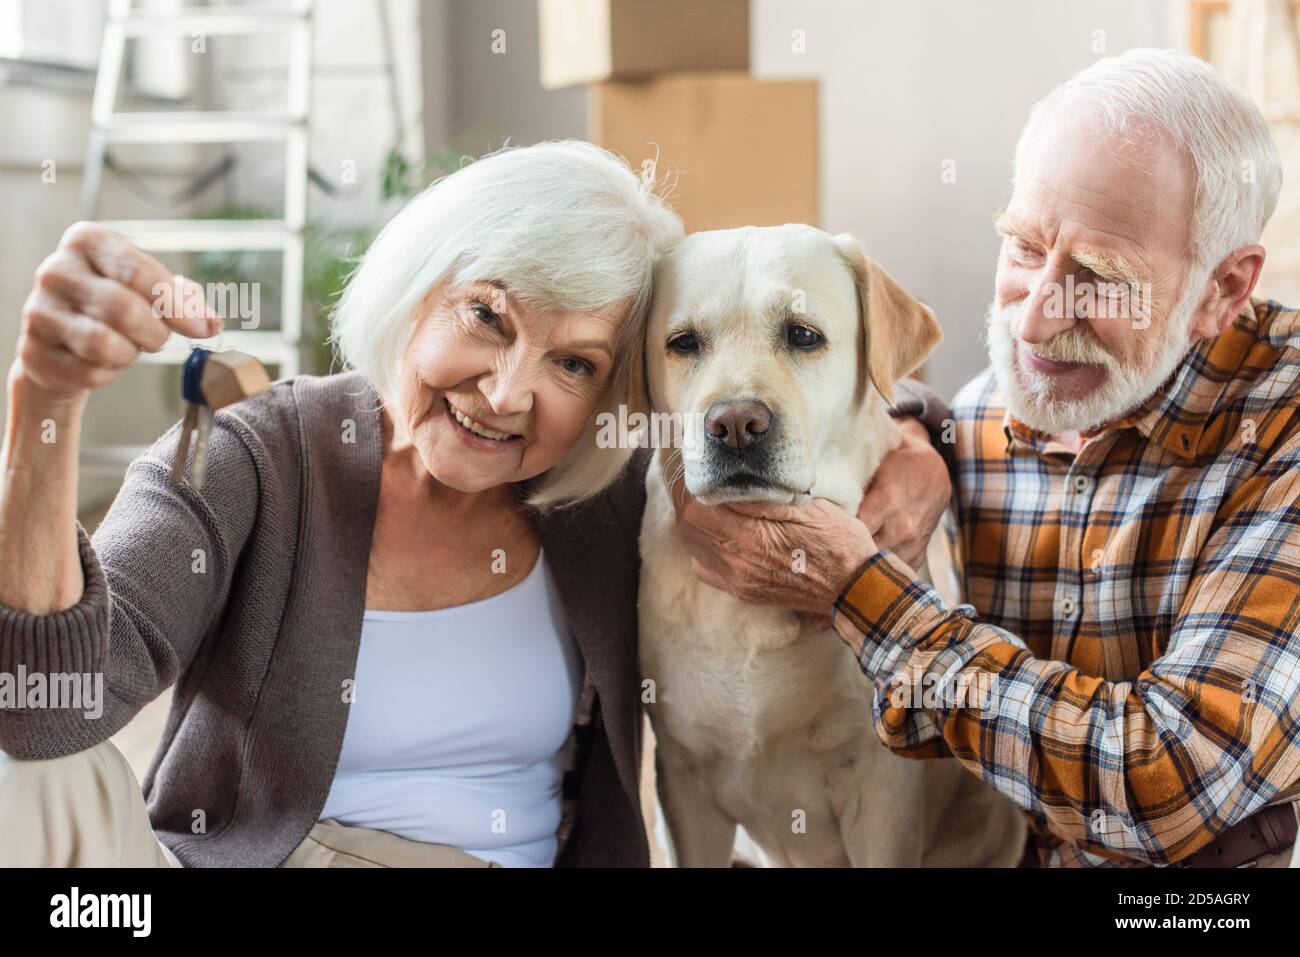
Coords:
86,811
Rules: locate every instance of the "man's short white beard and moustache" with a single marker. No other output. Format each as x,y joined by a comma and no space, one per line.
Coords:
1029,393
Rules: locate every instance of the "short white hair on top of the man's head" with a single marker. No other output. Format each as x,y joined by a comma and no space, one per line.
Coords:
1220,128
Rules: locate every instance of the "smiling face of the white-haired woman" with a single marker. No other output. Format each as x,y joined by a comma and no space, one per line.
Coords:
499,391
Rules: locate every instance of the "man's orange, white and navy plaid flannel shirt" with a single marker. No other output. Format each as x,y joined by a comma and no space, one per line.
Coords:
1129,673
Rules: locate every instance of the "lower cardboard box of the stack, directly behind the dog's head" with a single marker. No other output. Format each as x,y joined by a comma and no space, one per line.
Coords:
736,150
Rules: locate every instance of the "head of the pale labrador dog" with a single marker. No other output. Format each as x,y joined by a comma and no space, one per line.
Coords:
772,340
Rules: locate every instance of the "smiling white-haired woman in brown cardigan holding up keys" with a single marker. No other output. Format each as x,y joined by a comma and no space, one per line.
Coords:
401,613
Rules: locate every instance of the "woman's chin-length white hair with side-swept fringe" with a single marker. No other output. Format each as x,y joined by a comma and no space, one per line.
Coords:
562,224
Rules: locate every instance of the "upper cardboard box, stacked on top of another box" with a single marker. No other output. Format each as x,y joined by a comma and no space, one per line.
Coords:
593,41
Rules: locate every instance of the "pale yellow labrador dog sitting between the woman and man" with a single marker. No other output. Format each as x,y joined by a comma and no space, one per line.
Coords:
785,341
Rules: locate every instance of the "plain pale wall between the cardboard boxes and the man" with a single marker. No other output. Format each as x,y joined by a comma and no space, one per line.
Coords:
907,86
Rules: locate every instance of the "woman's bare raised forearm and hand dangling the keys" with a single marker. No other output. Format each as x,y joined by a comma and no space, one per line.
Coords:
97,304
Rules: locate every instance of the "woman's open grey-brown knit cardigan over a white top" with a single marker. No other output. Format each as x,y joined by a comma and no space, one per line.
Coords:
262,642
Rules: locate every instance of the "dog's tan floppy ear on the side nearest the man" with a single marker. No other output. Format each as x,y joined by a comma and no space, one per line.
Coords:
900,331
